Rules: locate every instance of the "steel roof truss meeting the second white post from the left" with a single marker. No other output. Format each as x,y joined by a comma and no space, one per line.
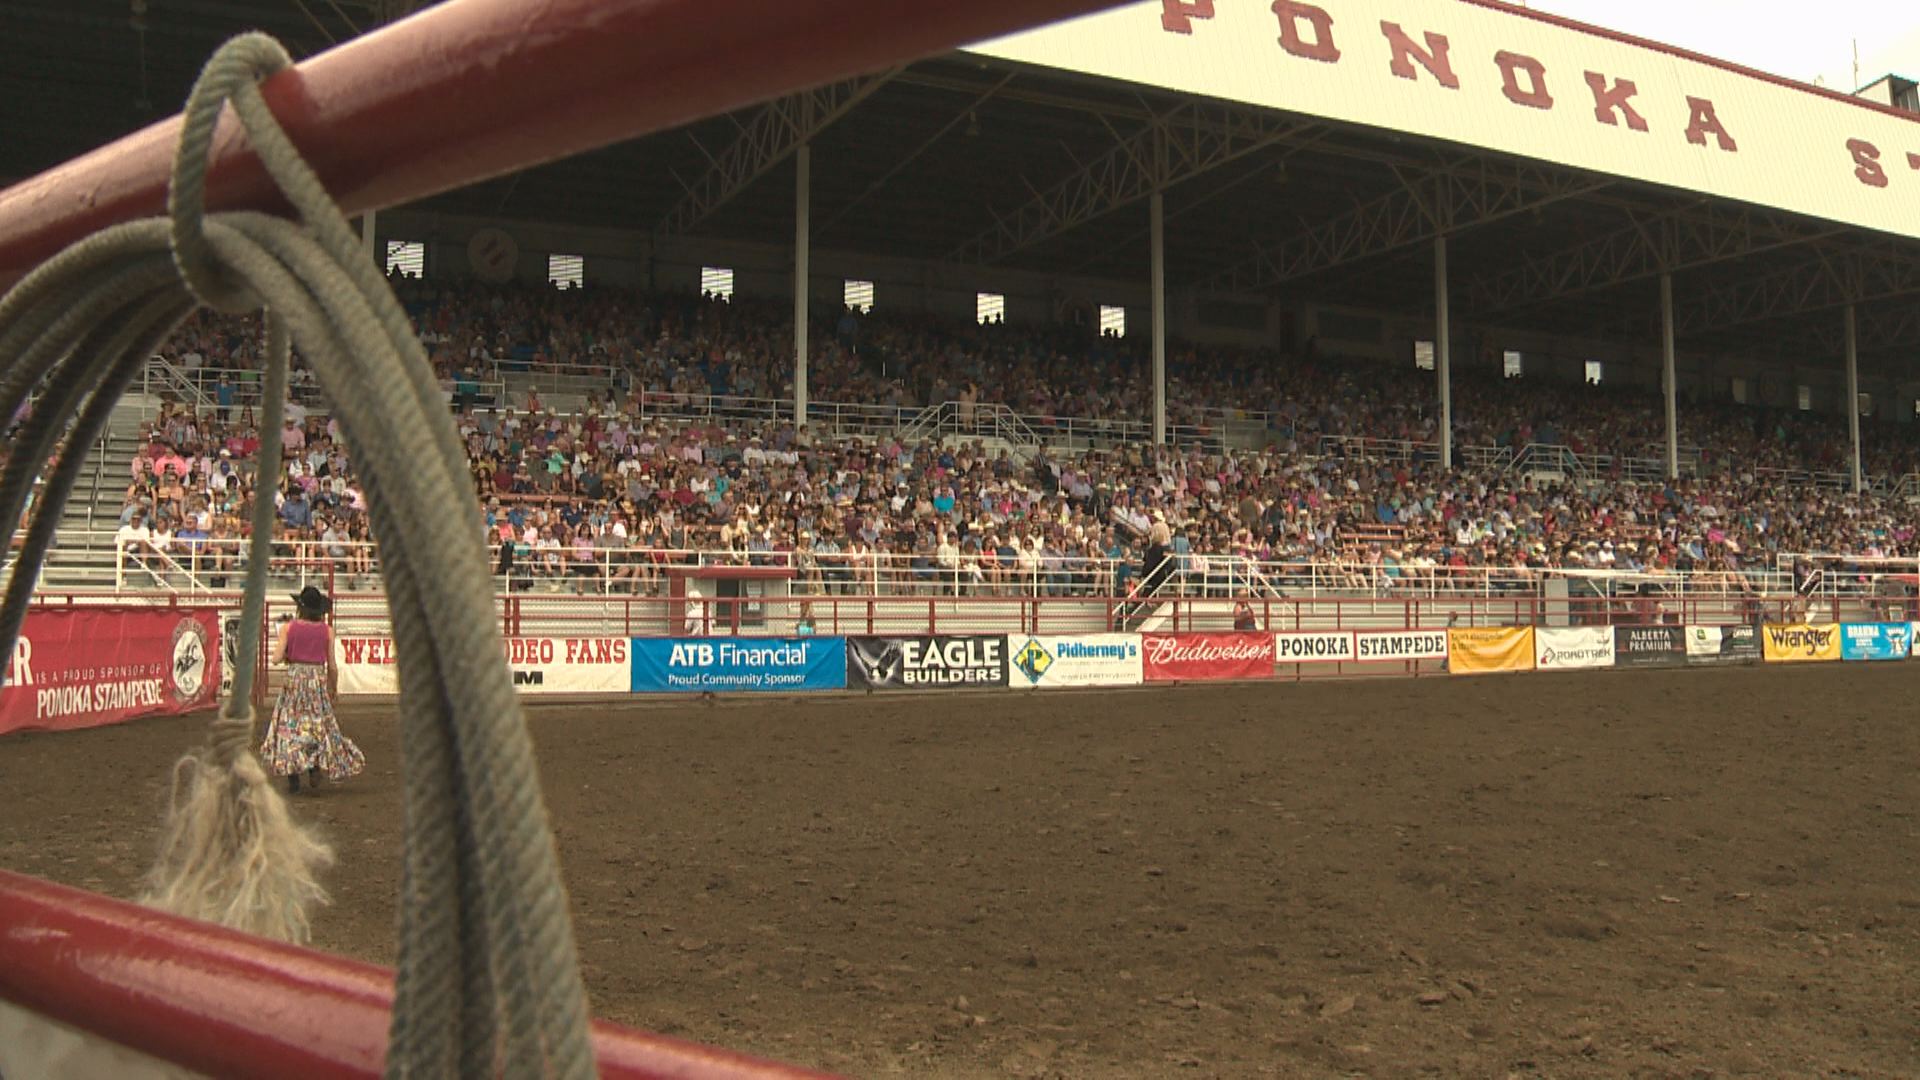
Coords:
1178,145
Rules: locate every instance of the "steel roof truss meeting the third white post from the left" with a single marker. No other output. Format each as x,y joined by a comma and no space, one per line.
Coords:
1429,203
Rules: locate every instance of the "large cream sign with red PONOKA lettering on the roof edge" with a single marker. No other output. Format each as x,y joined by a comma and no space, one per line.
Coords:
1522,84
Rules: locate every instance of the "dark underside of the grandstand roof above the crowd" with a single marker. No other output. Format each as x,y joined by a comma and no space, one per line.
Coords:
982,160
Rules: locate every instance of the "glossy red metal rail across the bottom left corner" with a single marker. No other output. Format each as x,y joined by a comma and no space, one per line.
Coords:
229,1004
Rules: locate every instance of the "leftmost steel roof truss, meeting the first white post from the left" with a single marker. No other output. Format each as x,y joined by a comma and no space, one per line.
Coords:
775,132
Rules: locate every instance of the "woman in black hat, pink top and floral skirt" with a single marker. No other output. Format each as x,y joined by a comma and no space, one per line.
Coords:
304,735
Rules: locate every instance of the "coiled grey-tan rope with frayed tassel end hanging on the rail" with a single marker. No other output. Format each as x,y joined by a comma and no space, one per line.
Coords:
487,981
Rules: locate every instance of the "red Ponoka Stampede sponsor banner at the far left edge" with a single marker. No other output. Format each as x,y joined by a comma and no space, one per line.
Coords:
101,666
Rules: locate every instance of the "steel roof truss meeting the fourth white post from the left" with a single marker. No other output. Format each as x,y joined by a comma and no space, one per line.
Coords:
1650,245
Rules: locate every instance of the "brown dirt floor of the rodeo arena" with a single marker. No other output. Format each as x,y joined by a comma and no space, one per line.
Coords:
1691,873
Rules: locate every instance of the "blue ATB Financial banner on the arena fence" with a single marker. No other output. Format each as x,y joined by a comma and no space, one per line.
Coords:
731,666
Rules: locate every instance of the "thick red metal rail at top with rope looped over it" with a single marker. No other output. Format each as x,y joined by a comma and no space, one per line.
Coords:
483,87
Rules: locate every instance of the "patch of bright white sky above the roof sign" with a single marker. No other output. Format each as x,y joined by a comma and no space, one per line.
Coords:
1781,37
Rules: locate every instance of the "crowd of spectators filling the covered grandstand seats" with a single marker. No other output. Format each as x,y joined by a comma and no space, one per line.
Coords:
621,489
